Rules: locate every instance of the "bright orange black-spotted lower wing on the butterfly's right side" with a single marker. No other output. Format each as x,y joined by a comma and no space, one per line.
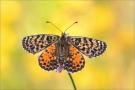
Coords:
75,61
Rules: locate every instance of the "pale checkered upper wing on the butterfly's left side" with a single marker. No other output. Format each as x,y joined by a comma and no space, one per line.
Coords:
36,43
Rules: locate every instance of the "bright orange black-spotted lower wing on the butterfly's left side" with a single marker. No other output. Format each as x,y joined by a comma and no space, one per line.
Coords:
48,59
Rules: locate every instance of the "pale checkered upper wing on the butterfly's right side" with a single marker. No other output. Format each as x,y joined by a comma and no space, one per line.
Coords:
88,46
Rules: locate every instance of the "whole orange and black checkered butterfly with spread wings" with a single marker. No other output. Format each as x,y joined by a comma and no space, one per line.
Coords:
63,52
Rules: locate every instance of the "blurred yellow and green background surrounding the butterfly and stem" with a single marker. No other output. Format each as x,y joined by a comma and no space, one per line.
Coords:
109,21
